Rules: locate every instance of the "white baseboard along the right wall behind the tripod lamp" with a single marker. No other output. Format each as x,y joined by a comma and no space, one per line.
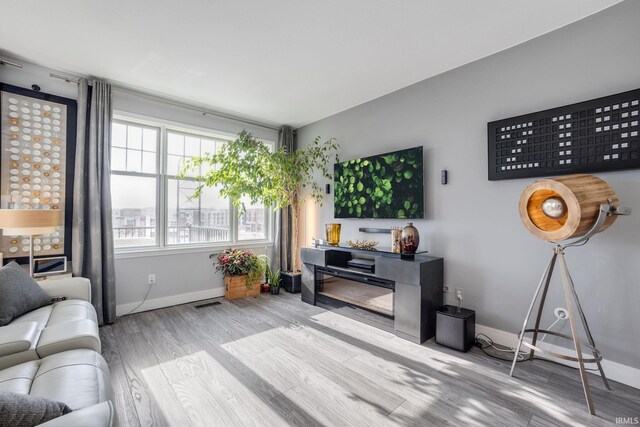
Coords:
616,371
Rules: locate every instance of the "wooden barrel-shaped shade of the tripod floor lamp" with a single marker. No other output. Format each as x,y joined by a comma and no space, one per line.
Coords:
580,195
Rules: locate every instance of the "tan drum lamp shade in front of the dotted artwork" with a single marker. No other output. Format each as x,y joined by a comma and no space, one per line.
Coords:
29,221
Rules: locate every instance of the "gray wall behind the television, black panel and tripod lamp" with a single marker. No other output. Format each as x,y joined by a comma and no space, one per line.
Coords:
474,223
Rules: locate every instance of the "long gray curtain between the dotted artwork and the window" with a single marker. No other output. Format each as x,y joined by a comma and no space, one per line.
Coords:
92,234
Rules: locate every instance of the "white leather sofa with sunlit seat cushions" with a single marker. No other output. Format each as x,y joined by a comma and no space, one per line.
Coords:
54,352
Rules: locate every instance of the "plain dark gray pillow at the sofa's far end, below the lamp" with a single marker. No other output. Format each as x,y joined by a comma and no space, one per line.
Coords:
19,293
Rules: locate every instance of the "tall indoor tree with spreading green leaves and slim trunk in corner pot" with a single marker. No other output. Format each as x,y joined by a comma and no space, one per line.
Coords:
248,168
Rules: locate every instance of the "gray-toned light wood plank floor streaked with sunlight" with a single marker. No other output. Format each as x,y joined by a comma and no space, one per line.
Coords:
275,361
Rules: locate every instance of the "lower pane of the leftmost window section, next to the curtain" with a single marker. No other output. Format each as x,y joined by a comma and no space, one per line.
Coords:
134,211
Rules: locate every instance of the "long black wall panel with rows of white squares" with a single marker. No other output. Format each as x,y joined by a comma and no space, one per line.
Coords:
592,136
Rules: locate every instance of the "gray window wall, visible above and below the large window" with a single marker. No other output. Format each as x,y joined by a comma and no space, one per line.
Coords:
180,275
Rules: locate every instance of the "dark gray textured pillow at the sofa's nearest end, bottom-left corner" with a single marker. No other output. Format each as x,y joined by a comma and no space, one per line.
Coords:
24,410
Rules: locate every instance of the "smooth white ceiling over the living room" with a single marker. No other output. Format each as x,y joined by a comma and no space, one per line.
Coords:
280,61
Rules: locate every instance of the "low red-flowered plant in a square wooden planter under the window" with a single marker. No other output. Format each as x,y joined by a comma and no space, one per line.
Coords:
243,271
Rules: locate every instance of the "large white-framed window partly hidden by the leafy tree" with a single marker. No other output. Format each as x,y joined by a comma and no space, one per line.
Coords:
152,206
